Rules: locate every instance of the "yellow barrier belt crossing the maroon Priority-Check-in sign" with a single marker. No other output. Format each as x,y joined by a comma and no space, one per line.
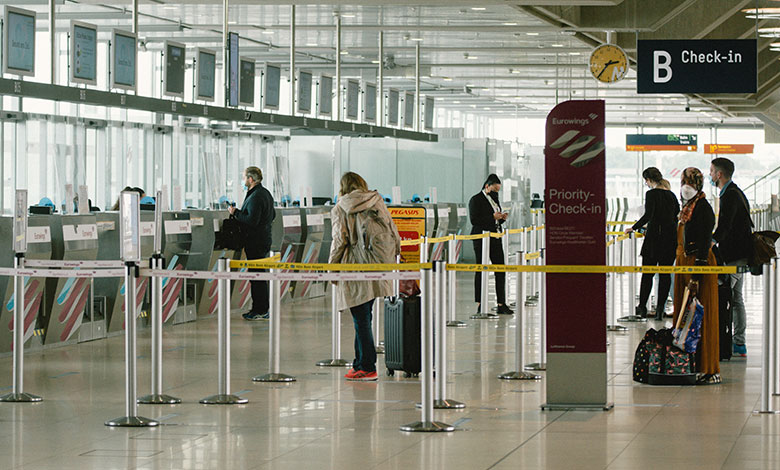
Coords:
593,269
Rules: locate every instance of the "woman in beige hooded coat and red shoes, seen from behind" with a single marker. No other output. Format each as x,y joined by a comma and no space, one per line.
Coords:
363,232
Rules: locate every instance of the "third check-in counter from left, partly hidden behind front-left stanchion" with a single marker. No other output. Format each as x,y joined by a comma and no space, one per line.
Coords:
116,316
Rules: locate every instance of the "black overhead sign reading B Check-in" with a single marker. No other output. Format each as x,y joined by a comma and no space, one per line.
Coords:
696,66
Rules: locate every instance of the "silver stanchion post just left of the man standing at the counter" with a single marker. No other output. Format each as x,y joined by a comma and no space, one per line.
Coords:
224,397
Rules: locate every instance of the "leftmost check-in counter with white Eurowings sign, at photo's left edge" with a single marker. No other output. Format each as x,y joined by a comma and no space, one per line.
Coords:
38,247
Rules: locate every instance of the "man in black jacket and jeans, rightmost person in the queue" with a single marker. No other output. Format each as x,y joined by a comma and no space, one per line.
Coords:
733,237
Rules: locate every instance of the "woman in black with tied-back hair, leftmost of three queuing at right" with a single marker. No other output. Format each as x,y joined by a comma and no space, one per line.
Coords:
660,244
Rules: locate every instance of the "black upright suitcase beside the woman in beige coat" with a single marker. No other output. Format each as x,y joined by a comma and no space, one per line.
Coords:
402,335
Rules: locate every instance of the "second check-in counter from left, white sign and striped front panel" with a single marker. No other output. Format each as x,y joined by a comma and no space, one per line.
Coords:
74,237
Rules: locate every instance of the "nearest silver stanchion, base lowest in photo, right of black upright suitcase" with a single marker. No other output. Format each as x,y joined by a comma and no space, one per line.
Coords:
427,424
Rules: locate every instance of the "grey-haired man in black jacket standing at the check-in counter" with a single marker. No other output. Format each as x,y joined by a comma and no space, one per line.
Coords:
256,216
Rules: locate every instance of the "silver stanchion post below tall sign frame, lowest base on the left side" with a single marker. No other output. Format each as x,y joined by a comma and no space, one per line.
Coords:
131,418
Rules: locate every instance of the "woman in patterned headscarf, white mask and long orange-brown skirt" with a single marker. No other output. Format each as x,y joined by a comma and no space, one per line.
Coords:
694,239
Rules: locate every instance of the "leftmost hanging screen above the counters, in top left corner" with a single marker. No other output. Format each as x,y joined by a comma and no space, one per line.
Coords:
19,41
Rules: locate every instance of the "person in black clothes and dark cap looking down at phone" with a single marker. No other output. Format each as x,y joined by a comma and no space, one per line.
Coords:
485,214
